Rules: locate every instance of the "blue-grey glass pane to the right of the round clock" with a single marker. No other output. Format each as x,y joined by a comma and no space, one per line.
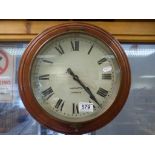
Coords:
138,114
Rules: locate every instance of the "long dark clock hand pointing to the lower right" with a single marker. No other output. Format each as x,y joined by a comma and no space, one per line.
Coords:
76,78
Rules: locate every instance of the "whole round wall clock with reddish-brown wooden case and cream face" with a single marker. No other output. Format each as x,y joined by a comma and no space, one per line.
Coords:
74,78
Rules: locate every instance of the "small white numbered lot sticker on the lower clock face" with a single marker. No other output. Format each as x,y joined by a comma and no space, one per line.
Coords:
85,107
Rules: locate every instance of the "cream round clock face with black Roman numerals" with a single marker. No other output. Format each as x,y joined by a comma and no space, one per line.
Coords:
75,77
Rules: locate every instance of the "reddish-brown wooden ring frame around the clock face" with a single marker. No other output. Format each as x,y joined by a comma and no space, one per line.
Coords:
24,79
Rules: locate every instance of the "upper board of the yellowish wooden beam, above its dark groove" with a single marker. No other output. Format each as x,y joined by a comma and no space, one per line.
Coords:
114,27
